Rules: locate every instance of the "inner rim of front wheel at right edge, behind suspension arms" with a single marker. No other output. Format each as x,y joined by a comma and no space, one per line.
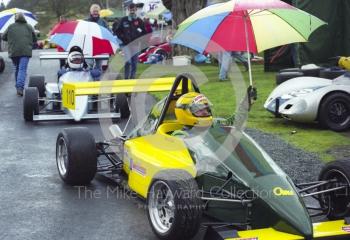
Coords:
337,201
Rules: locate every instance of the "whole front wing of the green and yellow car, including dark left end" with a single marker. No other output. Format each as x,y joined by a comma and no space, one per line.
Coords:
324,230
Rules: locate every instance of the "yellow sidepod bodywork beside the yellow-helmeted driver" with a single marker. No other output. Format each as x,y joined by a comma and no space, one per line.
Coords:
146,156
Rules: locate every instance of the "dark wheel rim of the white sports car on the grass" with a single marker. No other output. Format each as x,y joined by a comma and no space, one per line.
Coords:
339,112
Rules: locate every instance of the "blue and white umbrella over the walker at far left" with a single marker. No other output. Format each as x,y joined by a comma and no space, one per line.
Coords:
7,17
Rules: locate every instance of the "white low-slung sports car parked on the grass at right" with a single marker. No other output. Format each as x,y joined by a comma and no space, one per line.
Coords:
313,99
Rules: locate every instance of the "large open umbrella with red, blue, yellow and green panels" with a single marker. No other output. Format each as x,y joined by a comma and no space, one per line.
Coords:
246,25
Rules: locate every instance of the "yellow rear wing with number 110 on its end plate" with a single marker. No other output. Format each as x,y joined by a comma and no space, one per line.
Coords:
72,90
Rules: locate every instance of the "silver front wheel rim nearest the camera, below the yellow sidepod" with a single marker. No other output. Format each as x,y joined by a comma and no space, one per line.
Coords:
161,207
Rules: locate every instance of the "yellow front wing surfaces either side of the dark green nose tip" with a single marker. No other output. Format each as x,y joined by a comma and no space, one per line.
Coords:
321,230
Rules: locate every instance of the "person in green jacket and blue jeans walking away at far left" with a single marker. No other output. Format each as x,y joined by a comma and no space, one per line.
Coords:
20,37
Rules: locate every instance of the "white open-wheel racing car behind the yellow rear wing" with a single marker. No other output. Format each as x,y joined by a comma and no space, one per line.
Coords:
42,100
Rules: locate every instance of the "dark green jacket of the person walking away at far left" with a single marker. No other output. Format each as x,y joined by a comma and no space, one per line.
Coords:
20,37
